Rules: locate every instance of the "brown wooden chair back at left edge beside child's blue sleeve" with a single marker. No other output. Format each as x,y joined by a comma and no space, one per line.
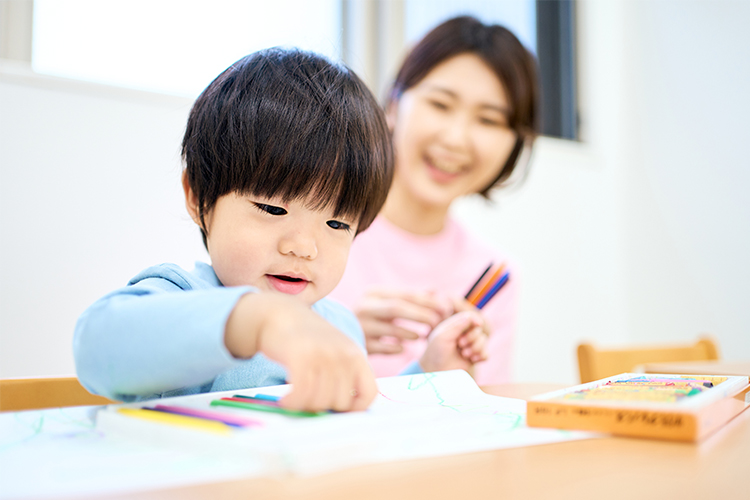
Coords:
35,393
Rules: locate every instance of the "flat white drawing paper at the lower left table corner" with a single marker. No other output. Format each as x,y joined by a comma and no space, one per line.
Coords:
59,453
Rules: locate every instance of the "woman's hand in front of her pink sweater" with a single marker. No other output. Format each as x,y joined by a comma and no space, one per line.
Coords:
381,310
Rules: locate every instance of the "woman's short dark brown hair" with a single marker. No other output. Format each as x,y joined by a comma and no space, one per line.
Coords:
514,66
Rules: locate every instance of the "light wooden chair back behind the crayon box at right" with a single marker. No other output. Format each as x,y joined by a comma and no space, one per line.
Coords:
595,364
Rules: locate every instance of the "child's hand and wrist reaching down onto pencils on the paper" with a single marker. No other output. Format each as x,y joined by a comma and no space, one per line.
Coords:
326,368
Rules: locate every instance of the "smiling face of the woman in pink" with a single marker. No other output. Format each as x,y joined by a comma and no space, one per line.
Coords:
450,132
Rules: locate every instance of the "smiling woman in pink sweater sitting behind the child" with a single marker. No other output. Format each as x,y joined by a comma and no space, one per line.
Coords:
462,112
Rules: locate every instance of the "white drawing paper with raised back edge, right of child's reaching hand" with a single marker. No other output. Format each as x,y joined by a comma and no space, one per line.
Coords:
415,416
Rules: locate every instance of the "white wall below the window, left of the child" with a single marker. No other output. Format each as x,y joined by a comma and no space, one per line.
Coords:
90,195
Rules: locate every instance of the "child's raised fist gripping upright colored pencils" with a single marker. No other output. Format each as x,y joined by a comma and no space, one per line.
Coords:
456,343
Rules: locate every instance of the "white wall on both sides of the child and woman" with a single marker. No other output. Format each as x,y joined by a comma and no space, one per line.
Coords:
636,235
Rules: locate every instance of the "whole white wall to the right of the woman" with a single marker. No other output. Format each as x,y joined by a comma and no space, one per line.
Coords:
640,235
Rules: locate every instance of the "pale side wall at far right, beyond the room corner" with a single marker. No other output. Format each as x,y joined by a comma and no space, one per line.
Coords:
689,214
